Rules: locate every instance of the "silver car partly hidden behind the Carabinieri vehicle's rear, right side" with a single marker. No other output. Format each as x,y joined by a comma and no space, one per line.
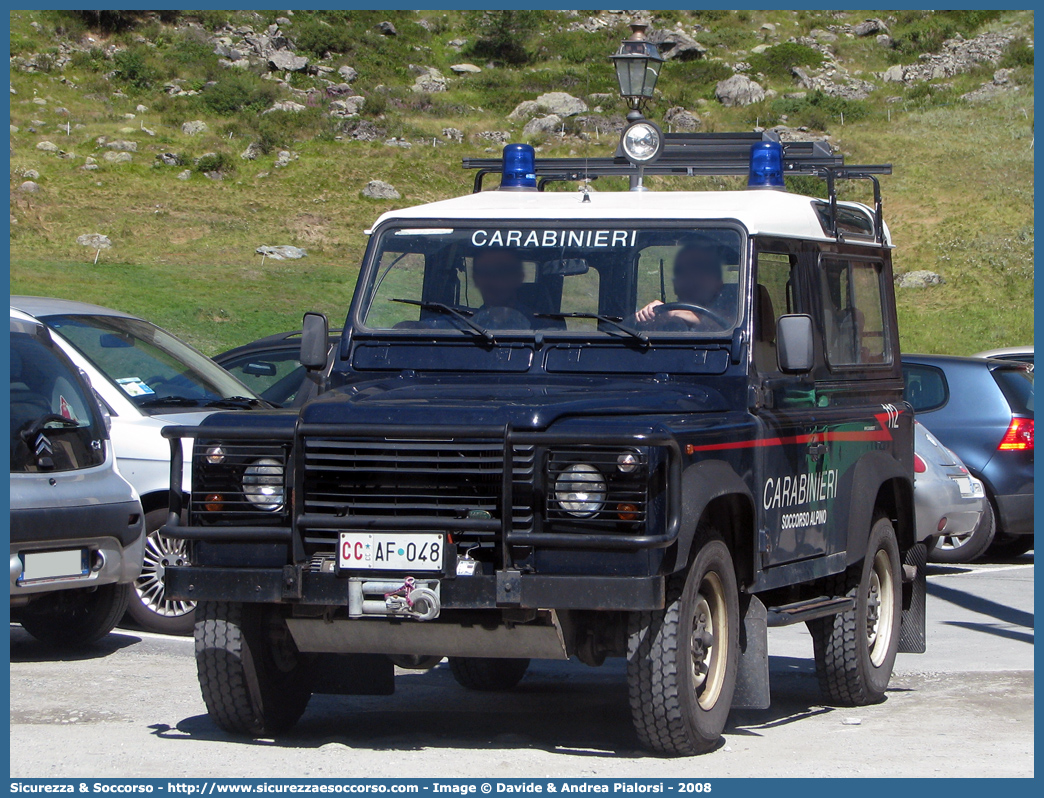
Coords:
951,504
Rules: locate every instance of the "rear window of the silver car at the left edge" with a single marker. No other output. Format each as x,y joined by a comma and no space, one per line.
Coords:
55,425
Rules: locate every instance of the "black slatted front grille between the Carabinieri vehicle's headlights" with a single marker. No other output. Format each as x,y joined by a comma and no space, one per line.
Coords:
388,479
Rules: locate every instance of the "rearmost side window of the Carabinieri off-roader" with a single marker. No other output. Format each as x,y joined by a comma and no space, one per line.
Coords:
853,314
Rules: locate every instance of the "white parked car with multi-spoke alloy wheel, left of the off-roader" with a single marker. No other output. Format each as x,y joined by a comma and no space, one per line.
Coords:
148,379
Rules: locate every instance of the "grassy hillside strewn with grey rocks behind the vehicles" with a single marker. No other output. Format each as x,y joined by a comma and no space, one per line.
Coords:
960,202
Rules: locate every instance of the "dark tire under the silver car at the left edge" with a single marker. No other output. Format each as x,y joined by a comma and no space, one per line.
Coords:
73,619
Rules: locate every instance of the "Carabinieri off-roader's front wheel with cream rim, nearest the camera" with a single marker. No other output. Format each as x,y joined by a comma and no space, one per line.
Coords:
682,661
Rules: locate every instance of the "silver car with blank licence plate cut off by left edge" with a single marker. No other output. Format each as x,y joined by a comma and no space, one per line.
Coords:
77,526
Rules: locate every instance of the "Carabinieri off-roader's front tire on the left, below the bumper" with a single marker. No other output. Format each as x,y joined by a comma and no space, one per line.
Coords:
253,679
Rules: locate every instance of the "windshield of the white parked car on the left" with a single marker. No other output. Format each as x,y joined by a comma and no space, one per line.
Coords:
155,370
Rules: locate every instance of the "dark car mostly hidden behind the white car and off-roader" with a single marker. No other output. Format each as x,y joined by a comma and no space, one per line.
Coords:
271,368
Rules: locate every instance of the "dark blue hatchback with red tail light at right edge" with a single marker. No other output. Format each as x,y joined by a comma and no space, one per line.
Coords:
984,410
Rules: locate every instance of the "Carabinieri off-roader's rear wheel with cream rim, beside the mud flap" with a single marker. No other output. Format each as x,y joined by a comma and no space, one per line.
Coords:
856,651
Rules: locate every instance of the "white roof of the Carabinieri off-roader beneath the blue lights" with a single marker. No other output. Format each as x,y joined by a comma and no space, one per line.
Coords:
763,213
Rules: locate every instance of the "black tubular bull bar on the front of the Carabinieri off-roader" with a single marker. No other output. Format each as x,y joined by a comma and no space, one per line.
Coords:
504,526
